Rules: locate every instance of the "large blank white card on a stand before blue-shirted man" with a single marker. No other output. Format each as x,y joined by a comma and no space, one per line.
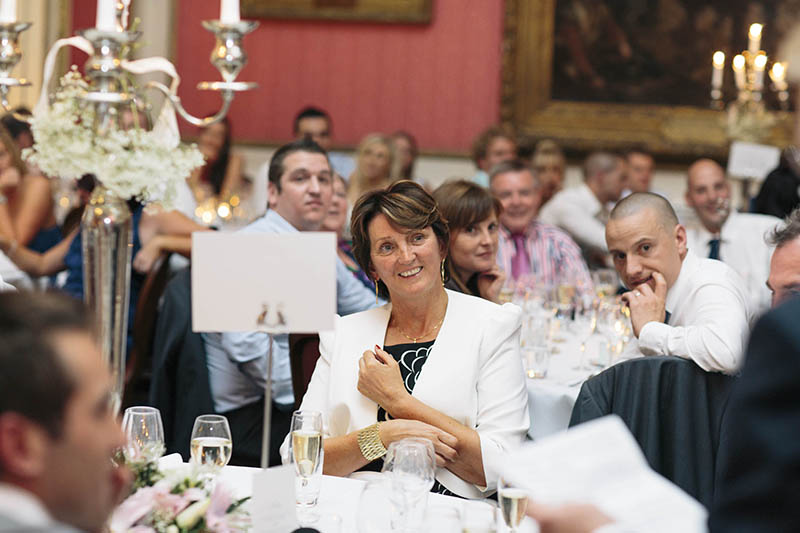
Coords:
280,283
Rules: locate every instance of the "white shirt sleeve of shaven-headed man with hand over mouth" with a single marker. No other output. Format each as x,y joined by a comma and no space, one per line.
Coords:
715,334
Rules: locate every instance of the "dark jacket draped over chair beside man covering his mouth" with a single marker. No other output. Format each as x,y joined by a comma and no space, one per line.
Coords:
672,407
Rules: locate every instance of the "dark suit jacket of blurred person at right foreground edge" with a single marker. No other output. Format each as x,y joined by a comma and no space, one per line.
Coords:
760,479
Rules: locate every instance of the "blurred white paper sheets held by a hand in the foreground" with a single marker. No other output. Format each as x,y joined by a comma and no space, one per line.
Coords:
600,463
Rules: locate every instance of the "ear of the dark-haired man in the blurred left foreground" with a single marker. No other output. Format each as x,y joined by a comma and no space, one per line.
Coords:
24,446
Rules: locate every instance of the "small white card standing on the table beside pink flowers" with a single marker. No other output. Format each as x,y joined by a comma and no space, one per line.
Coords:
273,504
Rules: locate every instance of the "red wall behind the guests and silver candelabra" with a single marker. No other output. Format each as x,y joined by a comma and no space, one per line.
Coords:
439,81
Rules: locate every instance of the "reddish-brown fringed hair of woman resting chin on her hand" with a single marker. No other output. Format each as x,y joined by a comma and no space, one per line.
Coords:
464,203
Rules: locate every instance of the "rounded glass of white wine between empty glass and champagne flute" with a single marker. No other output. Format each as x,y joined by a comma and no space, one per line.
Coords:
211,444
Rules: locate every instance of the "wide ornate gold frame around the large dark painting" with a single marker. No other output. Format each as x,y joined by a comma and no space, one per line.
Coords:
679,132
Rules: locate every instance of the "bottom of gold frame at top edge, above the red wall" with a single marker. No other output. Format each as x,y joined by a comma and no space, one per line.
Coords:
385,11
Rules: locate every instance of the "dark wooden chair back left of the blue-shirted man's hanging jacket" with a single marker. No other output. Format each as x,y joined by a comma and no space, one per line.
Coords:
139,365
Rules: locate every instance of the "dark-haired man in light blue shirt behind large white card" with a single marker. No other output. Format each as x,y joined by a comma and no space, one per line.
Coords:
300,191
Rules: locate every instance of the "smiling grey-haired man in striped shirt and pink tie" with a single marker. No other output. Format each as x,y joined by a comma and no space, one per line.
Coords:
527,247
